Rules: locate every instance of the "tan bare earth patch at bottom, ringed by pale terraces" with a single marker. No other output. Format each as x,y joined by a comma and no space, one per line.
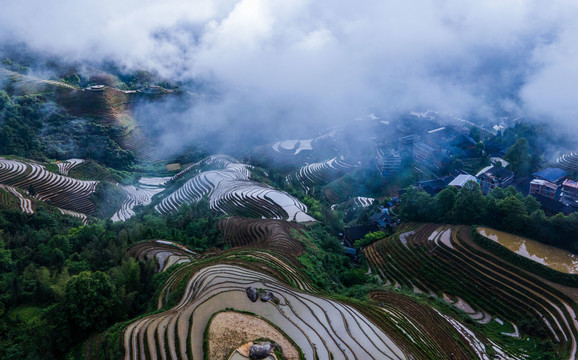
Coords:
229,330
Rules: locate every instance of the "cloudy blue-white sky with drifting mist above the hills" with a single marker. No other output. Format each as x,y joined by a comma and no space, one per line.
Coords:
307,64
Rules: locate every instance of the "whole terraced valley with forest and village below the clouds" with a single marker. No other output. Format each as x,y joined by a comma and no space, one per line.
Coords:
371,239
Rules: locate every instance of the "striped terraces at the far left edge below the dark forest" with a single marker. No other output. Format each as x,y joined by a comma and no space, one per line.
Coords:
61,191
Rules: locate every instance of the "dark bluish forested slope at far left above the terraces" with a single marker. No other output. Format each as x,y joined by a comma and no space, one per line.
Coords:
35,127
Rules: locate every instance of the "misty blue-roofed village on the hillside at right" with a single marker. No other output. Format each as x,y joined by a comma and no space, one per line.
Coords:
448,156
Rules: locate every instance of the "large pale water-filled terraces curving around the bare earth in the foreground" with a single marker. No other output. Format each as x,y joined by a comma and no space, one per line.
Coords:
320,327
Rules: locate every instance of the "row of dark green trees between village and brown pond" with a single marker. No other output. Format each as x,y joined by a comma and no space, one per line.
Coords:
504,209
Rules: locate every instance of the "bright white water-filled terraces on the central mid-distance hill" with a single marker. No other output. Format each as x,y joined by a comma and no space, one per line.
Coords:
230,191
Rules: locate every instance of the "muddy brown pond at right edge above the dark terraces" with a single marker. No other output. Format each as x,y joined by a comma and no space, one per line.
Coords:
555,258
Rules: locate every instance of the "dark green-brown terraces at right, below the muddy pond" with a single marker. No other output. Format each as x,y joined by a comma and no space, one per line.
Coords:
443,261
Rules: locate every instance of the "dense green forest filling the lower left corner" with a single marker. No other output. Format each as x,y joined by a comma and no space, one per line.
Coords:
80,278
